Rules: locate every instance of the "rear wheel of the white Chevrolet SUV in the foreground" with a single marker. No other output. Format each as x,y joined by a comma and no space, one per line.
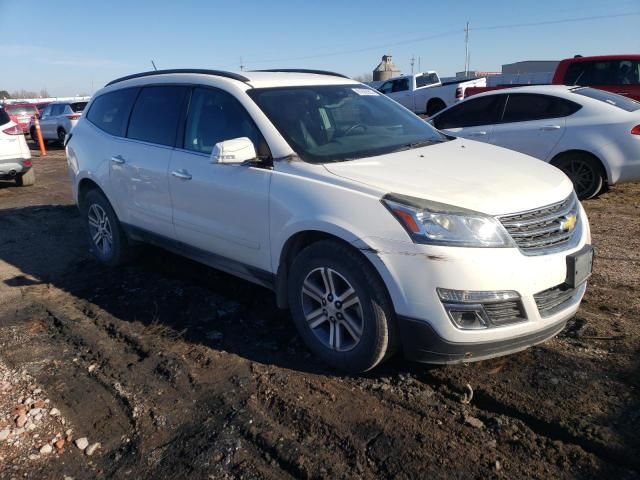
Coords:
109,242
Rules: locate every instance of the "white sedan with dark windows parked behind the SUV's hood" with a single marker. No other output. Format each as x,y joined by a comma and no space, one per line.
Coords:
591,135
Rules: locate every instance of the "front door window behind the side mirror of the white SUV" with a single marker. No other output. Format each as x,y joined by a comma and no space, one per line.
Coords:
215,116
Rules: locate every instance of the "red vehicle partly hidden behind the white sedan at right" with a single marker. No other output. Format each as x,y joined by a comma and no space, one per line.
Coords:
615,73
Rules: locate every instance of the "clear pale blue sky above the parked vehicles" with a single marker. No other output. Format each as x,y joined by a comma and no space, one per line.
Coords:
74,47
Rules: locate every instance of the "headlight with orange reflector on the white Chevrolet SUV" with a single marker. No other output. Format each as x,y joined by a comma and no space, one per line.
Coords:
440,224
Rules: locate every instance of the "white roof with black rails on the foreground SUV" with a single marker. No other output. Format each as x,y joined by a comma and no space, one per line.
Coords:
252,79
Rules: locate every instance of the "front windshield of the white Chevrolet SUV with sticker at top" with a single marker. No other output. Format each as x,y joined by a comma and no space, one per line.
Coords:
333,123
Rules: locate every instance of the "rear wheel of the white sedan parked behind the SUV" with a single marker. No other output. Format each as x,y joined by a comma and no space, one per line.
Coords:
584,171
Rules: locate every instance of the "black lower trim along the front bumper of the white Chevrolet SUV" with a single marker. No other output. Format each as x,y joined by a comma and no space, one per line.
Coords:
421,343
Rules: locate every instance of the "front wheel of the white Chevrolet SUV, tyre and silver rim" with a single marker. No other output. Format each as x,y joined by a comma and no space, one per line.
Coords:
365,330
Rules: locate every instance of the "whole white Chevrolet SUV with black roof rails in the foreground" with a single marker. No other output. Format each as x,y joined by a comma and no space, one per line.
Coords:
377,231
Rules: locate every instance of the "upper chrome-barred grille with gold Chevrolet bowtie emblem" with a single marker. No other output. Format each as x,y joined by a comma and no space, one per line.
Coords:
543,229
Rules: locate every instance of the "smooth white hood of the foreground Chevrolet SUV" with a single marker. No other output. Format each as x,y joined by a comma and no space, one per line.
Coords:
464,173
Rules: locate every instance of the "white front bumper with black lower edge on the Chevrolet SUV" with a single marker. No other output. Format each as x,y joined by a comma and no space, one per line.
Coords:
413,272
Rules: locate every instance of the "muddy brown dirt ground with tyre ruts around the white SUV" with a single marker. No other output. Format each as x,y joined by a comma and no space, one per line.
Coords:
180,371
